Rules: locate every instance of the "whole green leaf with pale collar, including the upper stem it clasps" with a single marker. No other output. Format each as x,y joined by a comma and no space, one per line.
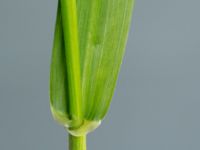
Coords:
89,44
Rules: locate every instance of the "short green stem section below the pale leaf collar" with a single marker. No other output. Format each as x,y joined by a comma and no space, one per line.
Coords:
77,143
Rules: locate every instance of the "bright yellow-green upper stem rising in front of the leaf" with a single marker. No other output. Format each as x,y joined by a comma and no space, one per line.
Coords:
70,28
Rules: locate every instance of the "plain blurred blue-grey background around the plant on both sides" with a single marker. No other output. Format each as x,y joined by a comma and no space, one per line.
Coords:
157,99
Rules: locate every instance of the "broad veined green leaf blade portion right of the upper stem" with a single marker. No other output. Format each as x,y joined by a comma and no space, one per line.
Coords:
109,24
